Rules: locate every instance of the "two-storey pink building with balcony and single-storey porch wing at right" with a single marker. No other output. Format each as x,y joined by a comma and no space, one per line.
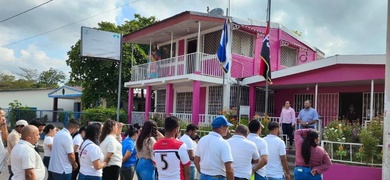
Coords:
188,81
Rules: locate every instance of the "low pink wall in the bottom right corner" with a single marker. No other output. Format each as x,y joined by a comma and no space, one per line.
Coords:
341,171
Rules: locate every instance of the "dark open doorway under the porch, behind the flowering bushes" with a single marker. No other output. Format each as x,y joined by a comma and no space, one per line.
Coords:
347,99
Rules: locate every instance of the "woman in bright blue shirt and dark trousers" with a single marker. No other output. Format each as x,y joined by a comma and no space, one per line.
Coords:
129,153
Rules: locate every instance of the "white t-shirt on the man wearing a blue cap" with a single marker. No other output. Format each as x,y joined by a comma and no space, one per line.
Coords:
214,152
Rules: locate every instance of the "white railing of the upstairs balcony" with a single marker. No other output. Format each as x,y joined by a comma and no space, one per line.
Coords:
199,63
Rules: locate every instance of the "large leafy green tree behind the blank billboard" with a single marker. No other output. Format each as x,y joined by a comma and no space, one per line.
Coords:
99,78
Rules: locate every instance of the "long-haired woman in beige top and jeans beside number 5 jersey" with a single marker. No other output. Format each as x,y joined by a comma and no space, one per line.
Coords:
147,138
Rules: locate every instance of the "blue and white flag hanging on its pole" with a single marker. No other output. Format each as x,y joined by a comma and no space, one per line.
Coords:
224,51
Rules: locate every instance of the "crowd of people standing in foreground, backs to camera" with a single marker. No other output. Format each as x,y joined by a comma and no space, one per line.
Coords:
99,152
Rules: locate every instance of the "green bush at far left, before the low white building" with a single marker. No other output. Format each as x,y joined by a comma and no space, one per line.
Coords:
17,111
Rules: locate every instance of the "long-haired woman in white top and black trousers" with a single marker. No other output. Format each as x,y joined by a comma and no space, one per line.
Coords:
112,150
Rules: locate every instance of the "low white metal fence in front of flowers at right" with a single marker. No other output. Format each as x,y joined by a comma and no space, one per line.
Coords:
349,153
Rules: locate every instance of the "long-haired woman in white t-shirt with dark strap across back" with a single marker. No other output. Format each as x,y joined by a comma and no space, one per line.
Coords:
90,155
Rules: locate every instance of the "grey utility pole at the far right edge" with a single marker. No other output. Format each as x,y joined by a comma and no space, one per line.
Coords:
386,128
